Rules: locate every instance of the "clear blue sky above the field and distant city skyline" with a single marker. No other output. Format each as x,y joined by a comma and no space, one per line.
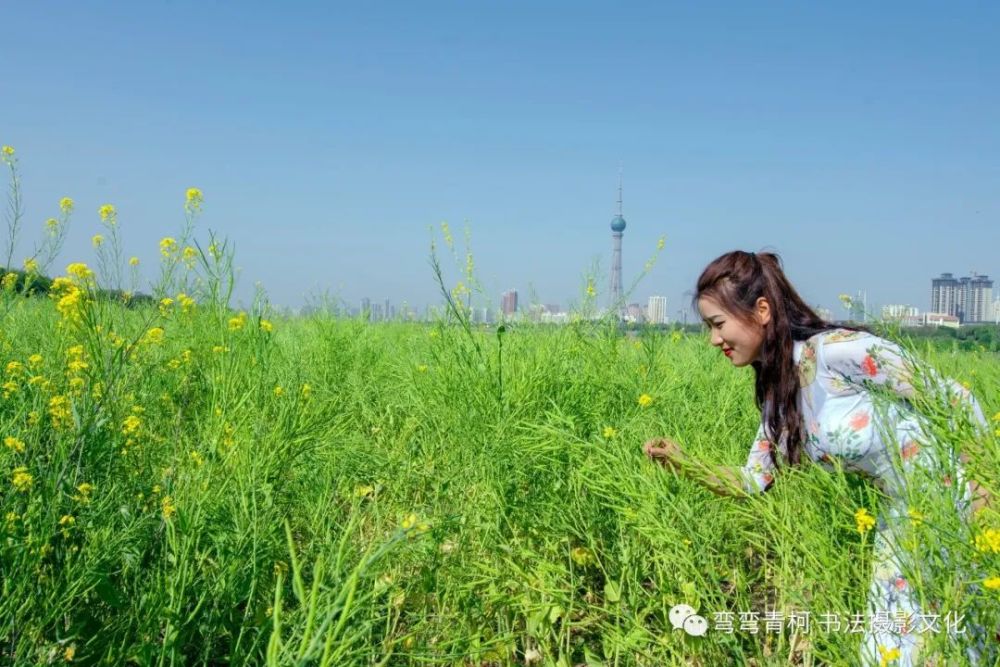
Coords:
859,140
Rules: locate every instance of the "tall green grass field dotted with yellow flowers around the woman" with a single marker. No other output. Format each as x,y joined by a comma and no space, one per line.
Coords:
187,484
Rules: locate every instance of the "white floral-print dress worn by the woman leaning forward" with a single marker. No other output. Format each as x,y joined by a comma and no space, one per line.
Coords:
841,374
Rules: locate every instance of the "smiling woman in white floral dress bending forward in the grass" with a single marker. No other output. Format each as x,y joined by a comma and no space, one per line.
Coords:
817,386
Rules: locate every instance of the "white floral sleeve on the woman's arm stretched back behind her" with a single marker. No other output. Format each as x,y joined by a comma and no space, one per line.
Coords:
865,361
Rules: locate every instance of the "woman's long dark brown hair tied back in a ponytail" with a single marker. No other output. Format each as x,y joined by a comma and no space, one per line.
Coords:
736,281
